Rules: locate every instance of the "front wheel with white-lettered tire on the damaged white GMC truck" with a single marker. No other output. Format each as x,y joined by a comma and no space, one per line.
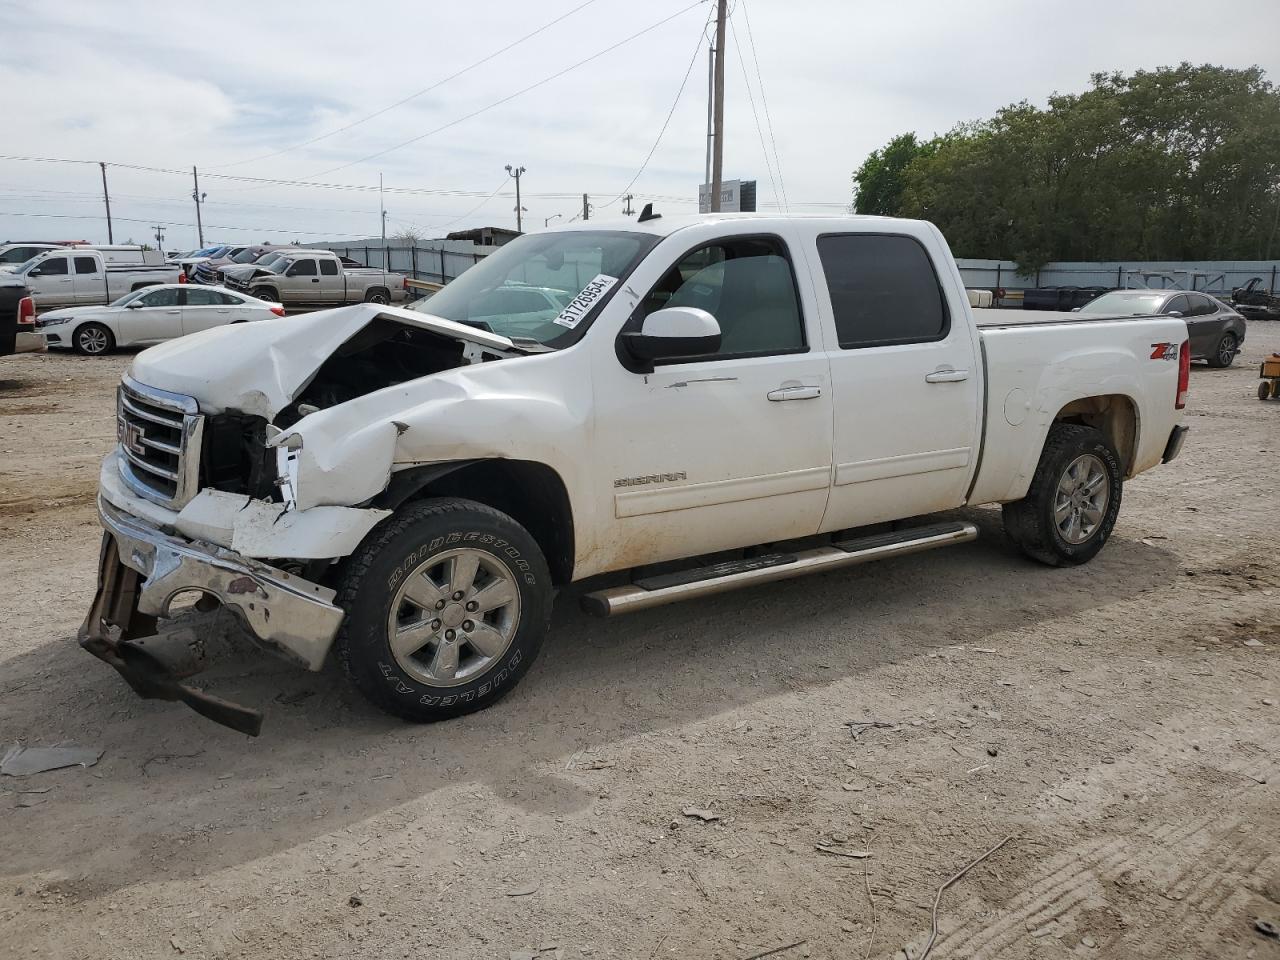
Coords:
447,606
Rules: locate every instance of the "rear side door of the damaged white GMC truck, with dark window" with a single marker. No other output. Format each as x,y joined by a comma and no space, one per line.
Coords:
907,377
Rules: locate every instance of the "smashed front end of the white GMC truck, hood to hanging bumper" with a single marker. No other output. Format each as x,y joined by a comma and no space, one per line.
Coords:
203,495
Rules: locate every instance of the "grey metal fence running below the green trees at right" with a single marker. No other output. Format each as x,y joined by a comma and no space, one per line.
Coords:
1209,276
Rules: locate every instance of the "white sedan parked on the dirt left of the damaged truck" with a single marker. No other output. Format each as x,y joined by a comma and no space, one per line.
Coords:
152,316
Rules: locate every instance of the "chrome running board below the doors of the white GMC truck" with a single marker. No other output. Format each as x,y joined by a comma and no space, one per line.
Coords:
720,578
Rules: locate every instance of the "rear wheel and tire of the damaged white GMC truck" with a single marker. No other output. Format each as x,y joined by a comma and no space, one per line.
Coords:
1072,505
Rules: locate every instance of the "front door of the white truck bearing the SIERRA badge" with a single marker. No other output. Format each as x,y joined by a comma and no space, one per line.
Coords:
723,451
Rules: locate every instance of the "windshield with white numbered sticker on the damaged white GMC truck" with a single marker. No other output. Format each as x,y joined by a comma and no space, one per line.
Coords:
520,291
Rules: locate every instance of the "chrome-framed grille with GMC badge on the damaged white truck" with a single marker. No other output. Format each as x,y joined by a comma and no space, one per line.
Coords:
159,435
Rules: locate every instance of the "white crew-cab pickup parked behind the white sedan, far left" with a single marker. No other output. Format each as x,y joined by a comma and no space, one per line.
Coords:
66,278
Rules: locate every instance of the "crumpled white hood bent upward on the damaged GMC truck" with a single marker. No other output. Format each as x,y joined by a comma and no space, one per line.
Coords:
260,368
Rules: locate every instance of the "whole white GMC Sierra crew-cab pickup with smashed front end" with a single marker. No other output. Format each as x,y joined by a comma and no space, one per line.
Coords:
720,403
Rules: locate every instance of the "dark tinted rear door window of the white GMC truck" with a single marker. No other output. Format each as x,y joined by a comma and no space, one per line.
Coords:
884,291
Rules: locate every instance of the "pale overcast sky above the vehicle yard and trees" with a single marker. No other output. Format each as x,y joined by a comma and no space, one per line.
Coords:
239,89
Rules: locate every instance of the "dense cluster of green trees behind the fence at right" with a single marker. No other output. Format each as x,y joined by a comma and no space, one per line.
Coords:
1173,164
